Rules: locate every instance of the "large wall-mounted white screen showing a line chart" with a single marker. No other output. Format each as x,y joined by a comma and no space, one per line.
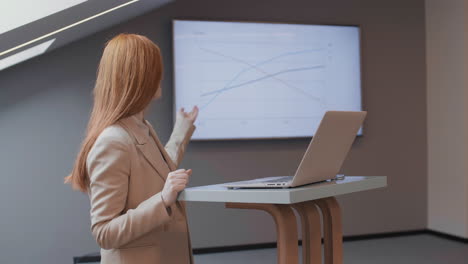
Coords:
264,80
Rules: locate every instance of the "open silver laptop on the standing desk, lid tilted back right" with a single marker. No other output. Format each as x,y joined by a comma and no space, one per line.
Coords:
324,155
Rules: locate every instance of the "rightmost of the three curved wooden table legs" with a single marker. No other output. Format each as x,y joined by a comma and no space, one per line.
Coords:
332,230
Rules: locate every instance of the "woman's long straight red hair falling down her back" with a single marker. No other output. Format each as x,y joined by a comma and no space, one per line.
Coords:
128,77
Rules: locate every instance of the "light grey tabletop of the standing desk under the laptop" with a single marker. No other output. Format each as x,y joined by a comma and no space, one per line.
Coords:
219,193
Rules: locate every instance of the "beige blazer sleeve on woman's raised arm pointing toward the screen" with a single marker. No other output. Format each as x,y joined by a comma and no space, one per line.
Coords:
180,137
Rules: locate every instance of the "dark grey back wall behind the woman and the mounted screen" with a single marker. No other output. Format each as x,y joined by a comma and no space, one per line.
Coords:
45,103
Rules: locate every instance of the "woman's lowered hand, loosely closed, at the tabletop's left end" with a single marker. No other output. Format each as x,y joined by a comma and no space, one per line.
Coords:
175,182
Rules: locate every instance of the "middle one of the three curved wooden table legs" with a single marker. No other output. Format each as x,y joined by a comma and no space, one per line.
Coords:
311,232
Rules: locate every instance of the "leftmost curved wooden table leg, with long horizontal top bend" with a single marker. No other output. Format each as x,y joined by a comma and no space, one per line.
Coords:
286,228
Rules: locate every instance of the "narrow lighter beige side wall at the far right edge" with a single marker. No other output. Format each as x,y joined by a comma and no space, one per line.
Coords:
447,61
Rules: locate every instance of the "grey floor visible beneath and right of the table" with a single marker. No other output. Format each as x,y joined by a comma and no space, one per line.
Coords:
427,249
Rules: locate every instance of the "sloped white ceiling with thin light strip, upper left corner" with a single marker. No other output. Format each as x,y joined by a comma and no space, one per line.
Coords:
63,20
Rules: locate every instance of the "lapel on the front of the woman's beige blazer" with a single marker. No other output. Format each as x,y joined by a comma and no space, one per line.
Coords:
137,129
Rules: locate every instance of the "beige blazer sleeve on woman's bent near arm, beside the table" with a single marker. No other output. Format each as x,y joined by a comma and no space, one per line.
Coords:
108,165
